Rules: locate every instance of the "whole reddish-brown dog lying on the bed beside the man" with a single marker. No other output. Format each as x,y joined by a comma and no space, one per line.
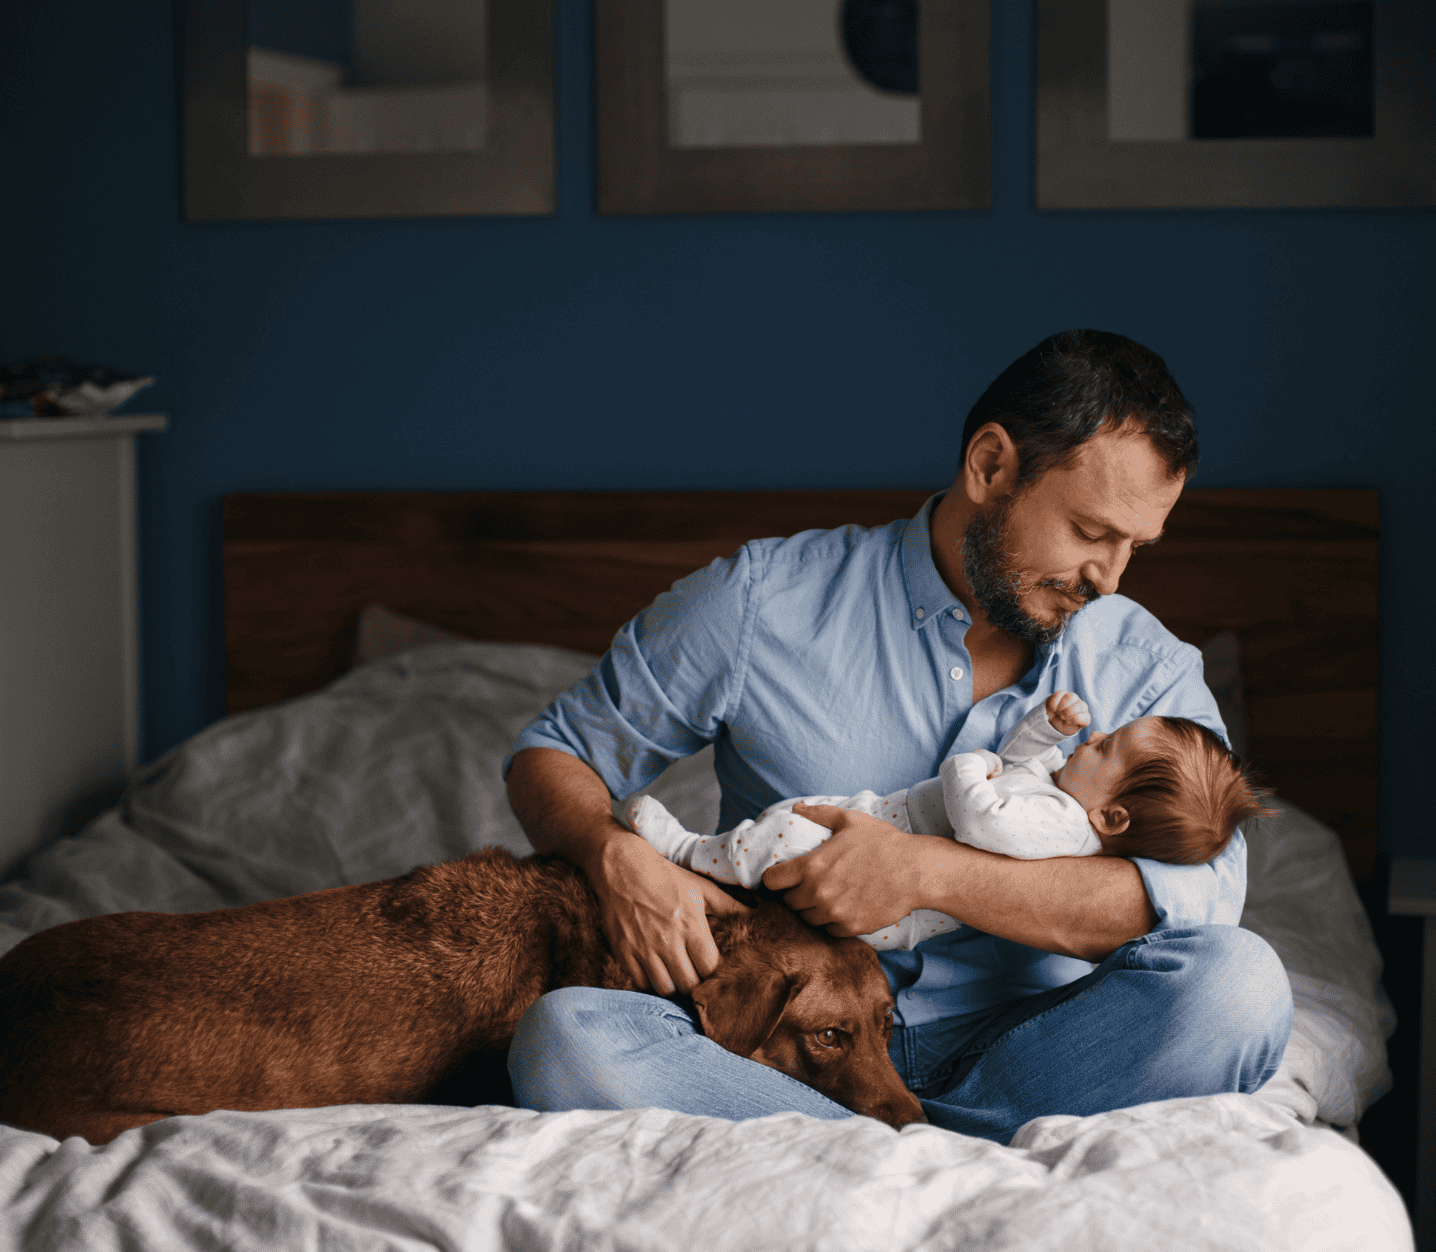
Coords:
388,993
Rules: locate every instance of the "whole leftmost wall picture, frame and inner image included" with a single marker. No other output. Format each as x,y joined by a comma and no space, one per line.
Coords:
367,108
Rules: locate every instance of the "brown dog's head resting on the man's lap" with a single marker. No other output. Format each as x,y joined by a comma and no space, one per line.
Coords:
815,1007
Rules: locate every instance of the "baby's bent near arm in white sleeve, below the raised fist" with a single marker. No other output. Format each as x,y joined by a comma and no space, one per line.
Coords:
1027,825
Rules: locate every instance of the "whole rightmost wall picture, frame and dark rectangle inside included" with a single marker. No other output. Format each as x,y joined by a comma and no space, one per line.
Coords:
1233,104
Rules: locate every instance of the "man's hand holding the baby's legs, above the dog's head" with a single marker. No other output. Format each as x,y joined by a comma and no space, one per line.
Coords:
865,878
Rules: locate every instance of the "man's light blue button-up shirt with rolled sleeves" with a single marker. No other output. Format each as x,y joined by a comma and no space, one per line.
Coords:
835,661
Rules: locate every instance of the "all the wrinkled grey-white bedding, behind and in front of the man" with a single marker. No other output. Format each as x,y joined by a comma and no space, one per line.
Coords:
396,766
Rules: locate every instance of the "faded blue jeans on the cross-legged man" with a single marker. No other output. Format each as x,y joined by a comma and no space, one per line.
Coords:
1178,1013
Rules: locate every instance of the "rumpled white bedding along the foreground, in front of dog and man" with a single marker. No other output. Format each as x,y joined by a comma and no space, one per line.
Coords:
1223,1172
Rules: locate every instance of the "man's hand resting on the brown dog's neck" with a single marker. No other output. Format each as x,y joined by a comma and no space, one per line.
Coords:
656,915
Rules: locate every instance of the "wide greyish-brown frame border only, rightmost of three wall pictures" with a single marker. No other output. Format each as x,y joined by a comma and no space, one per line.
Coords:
1081,166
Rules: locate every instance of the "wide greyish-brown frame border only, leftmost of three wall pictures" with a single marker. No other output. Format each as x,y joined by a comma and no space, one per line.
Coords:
513,173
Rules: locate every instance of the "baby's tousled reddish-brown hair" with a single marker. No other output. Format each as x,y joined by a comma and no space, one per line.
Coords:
1187,799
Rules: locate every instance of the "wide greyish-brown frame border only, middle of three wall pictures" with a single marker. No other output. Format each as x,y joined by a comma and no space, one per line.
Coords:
640,172
